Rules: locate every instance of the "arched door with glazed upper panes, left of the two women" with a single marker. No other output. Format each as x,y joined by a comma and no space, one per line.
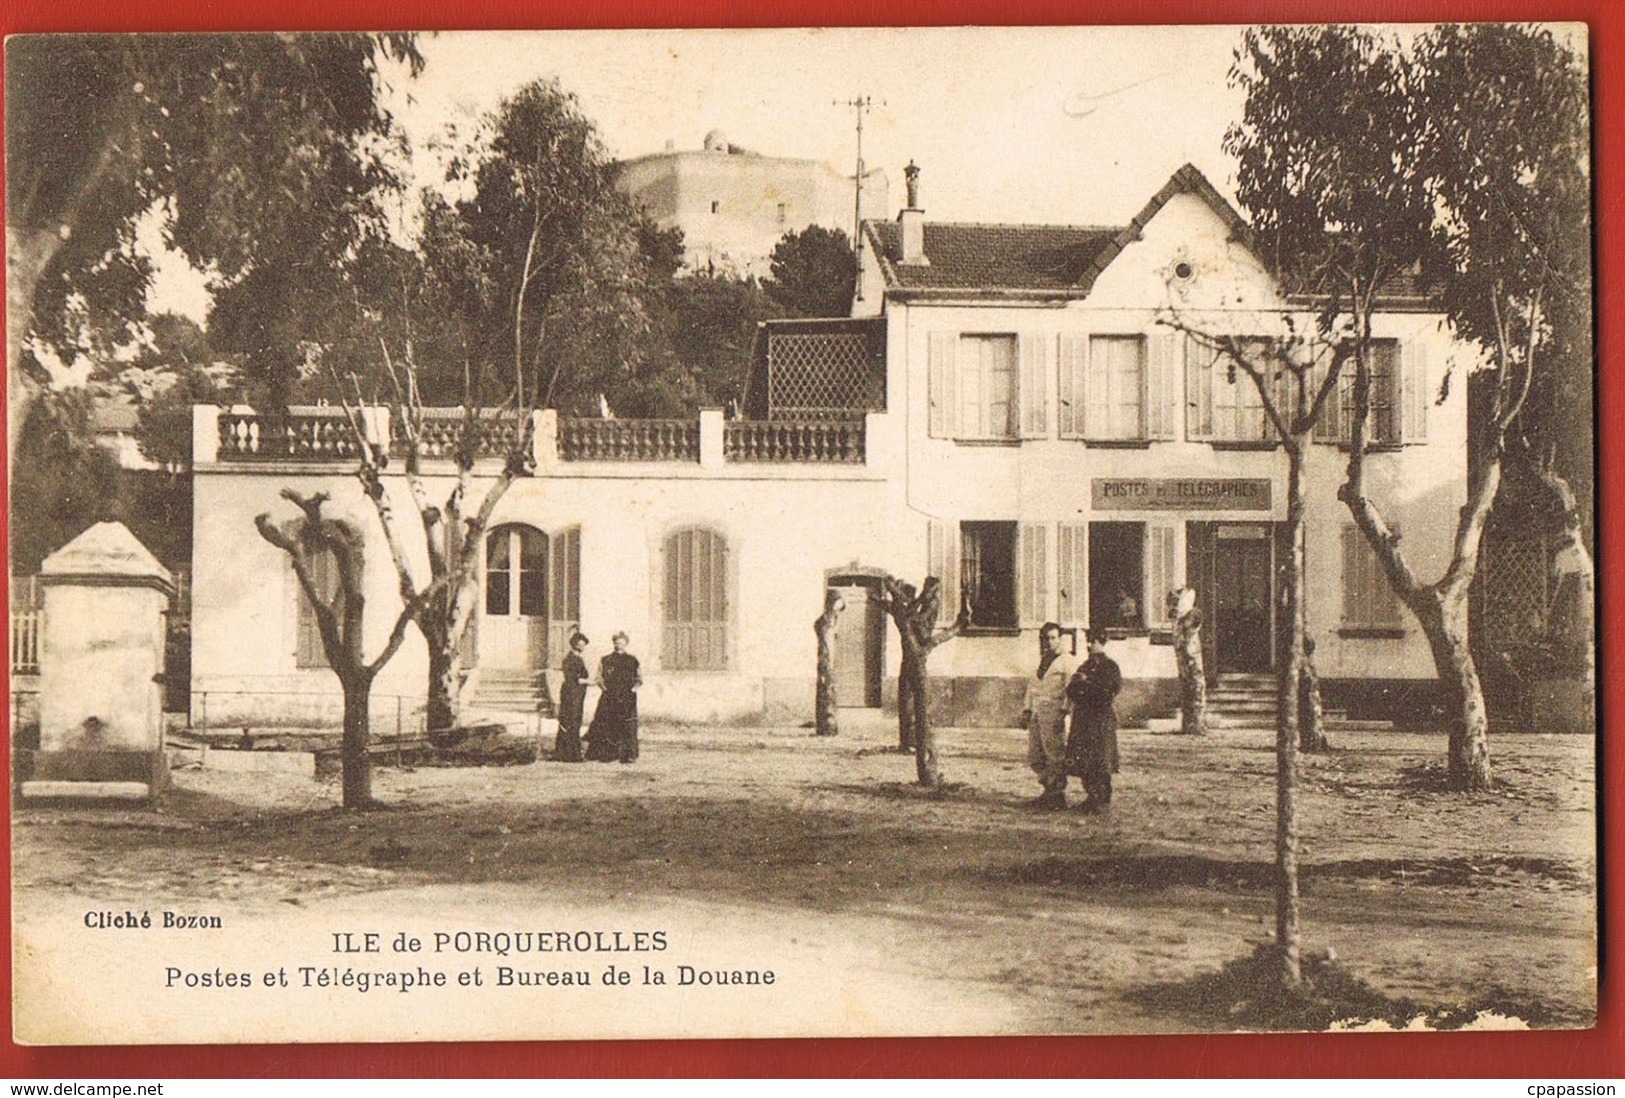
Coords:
514,633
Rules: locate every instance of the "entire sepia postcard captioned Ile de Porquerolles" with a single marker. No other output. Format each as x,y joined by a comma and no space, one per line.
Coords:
802,534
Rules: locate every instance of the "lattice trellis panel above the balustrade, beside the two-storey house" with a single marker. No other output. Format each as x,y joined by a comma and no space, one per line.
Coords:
821,374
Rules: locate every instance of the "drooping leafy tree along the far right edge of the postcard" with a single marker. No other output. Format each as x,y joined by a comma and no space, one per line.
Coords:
1507,147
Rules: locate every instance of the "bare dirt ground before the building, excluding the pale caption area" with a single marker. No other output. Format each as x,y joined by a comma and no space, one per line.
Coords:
1026,922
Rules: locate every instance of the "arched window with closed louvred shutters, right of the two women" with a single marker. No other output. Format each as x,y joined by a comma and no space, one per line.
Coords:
695,602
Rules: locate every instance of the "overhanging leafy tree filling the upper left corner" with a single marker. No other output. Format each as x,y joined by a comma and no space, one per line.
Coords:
256,150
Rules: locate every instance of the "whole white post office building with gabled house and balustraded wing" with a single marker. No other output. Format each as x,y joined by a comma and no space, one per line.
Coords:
1016,418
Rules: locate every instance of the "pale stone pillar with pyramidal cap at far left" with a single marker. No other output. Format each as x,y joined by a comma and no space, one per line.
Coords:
102,670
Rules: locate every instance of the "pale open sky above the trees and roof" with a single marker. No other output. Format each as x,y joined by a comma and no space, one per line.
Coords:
1075,126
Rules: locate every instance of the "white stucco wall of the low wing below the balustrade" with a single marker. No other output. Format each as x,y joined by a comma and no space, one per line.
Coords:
786,529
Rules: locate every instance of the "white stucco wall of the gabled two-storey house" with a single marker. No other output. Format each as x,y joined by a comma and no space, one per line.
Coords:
1419,488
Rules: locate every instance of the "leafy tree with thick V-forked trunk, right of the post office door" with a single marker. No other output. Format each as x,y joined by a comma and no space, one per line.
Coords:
1340,175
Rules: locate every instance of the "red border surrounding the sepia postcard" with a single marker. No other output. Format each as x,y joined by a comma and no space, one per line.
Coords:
1593,1053
